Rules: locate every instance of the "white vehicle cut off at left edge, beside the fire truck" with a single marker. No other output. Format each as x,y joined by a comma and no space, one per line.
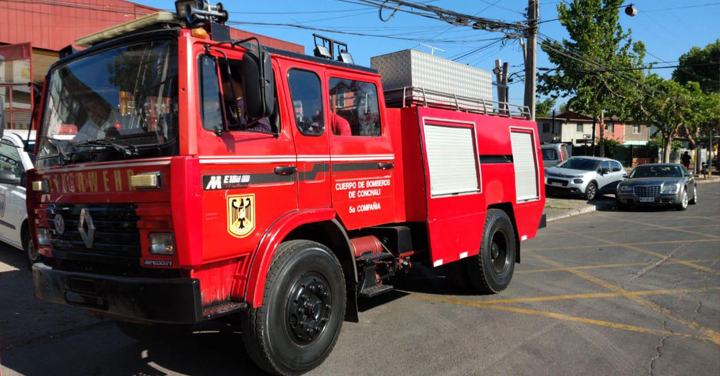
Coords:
14,161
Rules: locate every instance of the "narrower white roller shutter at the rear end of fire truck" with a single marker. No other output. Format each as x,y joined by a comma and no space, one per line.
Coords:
525,170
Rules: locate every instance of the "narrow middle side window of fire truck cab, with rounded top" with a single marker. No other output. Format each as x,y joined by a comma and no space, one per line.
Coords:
306,94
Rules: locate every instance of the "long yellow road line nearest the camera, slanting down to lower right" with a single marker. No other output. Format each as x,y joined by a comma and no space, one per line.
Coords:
455,300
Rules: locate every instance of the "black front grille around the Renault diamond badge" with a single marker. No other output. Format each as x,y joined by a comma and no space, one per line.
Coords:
116,236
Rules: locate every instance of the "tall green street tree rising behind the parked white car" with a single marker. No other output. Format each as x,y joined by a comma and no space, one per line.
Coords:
594,65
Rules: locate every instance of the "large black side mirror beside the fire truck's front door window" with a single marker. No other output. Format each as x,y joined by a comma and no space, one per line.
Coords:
258,84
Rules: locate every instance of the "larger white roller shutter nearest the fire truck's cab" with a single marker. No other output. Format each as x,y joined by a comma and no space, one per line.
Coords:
451,160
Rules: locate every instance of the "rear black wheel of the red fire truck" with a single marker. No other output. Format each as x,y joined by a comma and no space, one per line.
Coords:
491,270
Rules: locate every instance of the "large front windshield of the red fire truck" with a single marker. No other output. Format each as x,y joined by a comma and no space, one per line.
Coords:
119,101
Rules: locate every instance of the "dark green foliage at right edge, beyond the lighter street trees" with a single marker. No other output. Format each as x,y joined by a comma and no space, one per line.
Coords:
700,65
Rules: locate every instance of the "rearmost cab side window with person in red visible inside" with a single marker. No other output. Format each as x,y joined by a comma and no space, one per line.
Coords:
354,109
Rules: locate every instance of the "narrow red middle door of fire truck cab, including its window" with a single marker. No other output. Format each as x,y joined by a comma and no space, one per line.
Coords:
311,137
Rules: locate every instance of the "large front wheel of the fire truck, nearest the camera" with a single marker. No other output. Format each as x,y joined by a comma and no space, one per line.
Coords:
304,277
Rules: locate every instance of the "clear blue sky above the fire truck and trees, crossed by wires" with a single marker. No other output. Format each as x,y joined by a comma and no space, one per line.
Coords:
666,31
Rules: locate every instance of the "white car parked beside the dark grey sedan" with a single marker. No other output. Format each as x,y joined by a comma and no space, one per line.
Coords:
584,176
